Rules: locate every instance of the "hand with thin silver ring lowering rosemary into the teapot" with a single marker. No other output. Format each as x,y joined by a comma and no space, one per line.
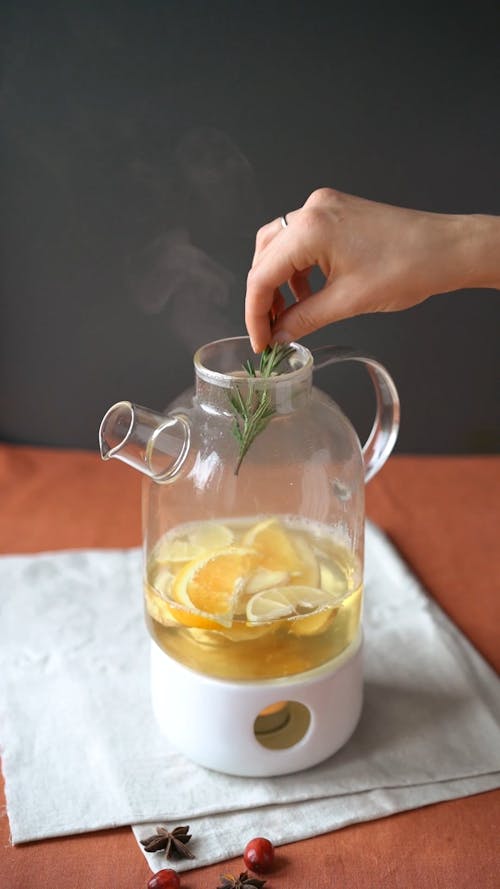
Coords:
374,257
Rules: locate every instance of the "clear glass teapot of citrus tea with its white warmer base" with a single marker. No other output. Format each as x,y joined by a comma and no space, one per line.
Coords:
253,517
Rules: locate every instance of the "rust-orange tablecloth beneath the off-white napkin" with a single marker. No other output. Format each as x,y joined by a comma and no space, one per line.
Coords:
442,514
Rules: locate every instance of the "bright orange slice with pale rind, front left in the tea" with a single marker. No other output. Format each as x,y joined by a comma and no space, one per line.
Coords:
211,584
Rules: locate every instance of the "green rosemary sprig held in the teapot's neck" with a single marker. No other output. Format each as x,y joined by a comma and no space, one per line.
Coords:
252,414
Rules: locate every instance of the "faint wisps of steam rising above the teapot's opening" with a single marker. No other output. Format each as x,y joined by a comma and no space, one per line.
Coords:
175,272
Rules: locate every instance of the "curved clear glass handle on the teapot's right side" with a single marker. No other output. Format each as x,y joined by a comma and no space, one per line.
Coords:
385,428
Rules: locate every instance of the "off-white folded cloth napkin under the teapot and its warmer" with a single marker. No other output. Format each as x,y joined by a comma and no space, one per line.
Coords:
82,752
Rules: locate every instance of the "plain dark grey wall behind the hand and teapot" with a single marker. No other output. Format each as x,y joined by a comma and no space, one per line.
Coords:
144,142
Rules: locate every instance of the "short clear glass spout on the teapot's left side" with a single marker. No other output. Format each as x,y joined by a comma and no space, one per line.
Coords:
155,444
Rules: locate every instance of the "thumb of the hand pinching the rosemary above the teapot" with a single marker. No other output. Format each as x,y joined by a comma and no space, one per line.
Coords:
332,303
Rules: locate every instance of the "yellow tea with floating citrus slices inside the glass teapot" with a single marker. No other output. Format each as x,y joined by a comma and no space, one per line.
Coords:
253,598
